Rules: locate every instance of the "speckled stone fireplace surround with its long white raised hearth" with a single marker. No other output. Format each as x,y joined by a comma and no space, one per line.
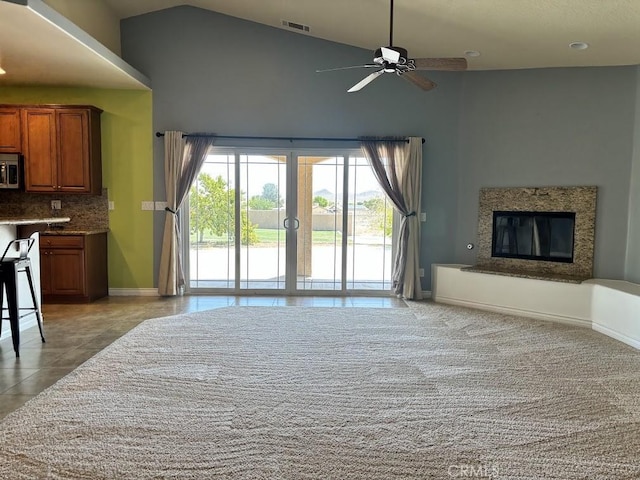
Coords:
607,306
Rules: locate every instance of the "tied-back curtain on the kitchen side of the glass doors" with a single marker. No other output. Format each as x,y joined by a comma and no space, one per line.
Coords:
184,157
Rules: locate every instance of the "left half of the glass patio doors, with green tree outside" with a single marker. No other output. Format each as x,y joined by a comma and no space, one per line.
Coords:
236,234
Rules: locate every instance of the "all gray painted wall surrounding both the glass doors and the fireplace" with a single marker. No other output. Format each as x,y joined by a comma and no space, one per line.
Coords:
499,128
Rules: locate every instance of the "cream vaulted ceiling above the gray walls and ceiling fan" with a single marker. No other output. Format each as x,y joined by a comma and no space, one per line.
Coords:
508,34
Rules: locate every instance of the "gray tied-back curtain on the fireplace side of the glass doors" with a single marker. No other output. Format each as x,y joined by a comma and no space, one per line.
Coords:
397,166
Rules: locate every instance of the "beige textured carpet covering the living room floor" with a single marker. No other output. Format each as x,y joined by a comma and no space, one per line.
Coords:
429,391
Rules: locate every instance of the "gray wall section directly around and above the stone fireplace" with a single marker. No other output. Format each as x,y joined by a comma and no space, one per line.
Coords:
550,127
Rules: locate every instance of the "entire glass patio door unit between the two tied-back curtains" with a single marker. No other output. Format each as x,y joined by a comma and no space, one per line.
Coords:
288,222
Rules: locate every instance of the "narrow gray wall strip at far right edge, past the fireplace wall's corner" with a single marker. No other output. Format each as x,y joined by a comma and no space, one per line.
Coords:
632,272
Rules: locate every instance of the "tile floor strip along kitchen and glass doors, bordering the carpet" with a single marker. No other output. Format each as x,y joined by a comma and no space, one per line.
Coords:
75,333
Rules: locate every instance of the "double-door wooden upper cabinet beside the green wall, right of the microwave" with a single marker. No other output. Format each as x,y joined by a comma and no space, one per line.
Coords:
62,149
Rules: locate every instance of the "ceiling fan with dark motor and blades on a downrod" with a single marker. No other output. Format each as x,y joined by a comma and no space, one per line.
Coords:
393,59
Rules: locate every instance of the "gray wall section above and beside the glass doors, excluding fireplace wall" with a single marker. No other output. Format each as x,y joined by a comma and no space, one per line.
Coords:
234,77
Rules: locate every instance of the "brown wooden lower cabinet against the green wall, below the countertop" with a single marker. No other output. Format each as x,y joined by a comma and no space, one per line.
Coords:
73,268
